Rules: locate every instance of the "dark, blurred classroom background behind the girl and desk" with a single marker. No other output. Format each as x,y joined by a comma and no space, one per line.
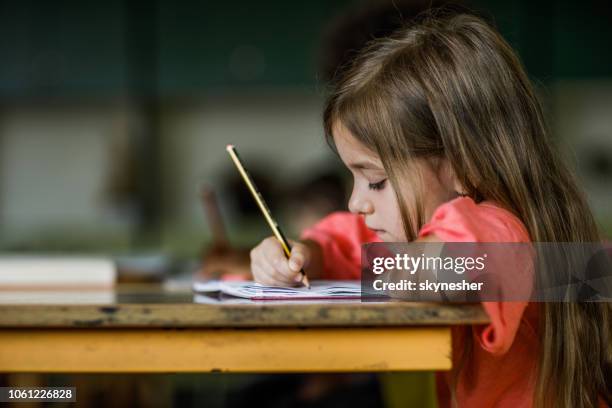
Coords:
115,115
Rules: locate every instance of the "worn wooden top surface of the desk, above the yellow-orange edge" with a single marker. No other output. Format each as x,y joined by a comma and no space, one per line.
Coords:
150,306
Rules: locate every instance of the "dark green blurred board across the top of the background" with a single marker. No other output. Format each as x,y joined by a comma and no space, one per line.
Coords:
169,47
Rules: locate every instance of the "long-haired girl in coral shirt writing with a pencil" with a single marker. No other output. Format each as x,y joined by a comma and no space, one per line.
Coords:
446,141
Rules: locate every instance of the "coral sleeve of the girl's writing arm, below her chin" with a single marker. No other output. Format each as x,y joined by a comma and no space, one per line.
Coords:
340,236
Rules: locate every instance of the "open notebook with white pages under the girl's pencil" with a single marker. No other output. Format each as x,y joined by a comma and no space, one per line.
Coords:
250,290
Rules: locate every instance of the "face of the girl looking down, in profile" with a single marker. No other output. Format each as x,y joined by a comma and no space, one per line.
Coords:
373,195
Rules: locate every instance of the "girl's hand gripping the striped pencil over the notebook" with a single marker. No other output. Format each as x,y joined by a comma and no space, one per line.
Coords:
270,266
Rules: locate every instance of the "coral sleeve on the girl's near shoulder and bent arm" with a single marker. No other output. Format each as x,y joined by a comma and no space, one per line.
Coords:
462,220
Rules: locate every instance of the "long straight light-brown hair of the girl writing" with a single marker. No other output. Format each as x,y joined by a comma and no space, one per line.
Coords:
450,86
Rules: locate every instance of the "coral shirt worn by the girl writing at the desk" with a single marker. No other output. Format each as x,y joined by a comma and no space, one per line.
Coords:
501,370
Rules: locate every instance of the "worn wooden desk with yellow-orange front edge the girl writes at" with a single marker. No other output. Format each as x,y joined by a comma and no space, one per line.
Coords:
147,329
